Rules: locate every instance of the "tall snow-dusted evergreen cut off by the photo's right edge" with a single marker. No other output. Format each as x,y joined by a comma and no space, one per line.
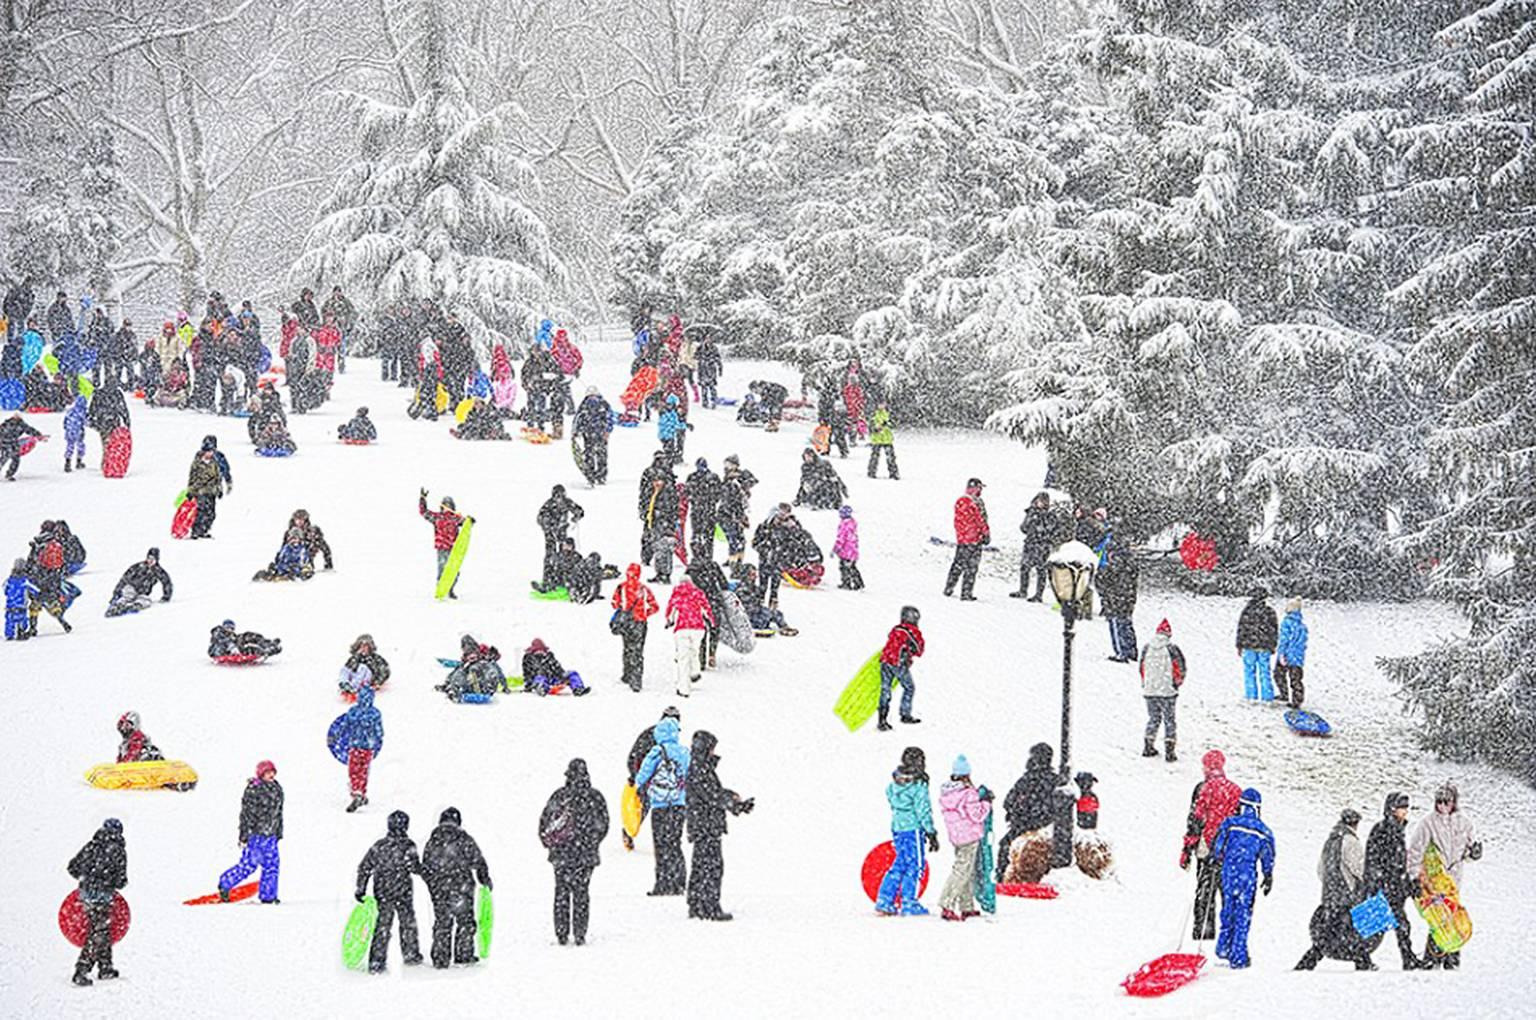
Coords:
1471,196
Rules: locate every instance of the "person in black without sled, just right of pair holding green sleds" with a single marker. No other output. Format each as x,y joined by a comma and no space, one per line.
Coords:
574,824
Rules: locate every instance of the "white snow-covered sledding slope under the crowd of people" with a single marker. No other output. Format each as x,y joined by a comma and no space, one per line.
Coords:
806,938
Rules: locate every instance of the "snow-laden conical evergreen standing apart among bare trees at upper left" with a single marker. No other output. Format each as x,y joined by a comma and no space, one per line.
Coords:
432,207
